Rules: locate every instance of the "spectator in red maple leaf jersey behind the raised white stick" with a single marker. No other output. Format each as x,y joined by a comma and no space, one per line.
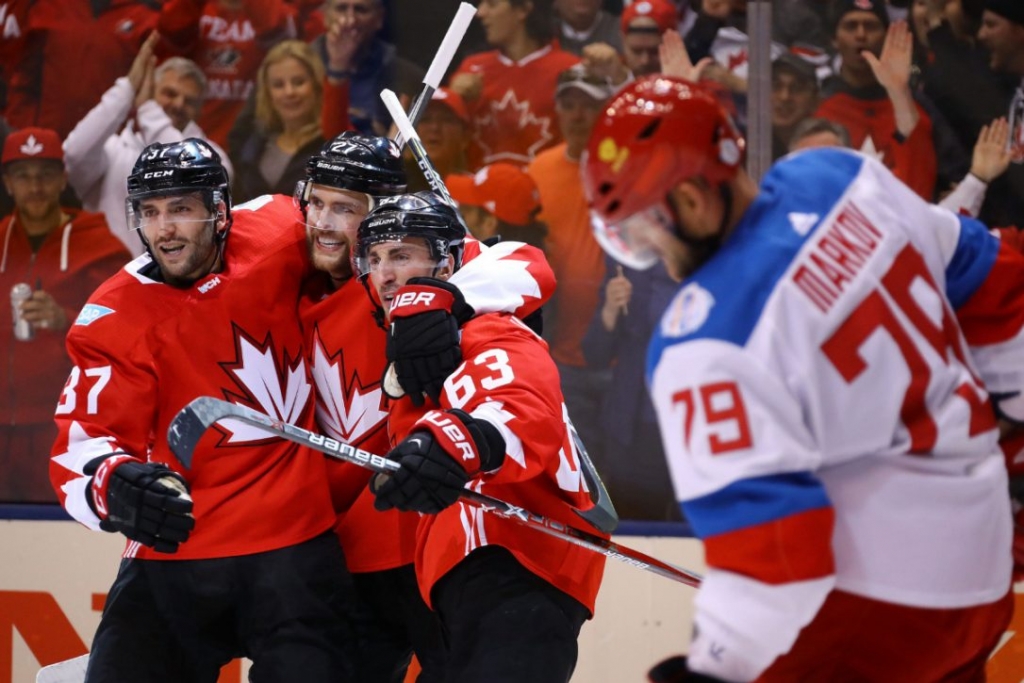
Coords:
510,90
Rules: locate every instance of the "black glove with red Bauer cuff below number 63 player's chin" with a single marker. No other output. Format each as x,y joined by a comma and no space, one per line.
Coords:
423,338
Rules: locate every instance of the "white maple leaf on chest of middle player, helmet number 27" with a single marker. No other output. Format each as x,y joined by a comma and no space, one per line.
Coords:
347,409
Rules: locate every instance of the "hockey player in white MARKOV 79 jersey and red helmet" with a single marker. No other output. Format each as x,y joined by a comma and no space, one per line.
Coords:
825,381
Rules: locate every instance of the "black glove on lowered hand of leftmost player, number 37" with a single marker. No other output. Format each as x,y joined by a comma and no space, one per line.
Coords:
147,502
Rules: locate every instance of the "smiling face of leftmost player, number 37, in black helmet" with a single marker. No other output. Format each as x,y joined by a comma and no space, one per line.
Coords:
181,232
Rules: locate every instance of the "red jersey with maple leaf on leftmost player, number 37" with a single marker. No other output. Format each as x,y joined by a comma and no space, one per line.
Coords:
142,351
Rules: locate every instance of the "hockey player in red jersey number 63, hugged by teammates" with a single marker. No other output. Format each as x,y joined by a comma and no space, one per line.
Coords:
511,601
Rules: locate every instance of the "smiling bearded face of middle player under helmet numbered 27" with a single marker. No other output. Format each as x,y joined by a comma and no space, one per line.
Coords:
332,220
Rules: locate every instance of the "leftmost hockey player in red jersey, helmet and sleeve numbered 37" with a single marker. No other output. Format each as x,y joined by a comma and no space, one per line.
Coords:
237,557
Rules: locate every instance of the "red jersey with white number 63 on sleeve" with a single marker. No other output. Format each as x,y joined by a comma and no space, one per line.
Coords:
509,379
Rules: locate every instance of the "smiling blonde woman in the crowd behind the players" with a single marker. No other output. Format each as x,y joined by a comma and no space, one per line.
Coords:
289,99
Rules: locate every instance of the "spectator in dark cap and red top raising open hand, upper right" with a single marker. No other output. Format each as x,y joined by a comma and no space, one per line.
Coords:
872,96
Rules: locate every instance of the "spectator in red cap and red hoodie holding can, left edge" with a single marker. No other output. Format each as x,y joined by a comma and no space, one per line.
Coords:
63,254
